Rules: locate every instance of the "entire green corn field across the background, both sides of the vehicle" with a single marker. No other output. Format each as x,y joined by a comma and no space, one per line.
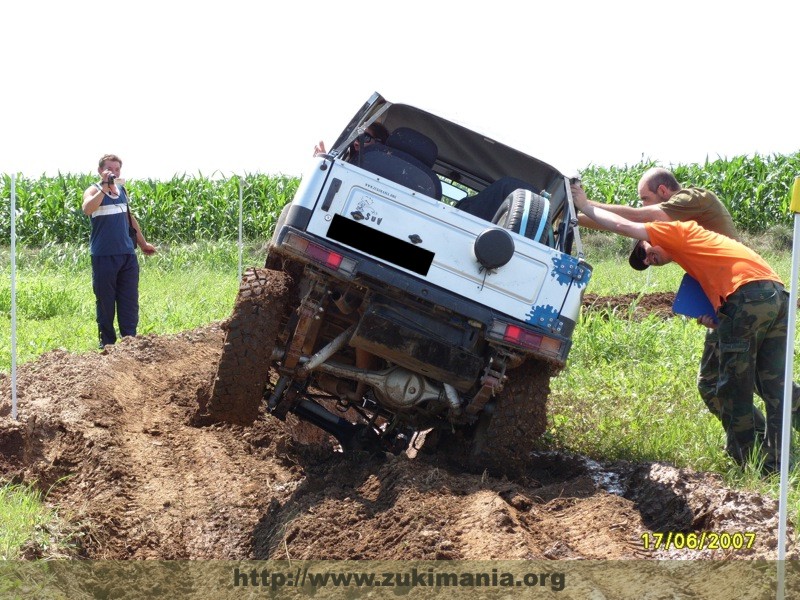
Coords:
189,209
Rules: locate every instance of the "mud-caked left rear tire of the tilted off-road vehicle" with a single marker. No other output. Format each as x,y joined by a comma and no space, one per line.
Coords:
250,336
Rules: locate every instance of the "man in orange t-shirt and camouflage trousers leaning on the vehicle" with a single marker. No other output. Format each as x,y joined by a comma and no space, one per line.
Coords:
752,312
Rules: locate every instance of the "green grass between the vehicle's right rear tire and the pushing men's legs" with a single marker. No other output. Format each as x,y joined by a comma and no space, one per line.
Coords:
629,391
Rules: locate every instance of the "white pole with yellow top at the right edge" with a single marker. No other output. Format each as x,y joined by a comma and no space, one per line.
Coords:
786,430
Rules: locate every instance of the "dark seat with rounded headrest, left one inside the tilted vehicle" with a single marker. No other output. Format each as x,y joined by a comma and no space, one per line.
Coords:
407,158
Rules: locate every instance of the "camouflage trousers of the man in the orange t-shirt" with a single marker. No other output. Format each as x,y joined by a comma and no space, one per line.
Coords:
746,354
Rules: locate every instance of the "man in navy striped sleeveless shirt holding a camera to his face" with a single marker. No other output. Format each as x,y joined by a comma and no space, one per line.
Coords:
115,235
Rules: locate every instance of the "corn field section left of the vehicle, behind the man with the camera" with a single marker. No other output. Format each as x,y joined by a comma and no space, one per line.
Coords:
182,210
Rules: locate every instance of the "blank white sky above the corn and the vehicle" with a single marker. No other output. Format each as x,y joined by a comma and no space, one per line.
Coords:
239,87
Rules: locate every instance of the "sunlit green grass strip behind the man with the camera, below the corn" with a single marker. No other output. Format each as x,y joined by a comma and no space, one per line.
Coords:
181,287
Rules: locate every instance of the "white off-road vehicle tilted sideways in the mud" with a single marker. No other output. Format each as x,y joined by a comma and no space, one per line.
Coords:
425,284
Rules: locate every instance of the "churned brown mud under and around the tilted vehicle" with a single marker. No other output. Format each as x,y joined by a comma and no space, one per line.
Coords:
115,440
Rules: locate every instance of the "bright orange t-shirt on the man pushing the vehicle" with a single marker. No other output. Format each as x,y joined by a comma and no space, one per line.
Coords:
721,265
